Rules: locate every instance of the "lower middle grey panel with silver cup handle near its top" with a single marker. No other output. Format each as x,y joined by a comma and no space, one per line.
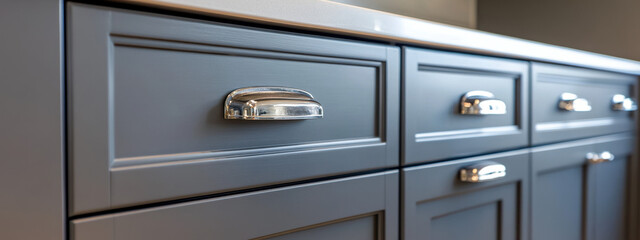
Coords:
450,201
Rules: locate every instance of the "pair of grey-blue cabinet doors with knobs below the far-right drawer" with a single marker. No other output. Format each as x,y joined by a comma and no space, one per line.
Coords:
580,189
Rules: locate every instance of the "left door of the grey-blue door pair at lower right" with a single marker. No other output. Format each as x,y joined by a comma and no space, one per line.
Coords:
559,186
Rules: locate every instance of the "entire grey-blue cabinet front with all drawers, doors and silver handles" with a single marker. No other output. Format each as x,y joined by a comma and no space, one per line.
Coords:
187,129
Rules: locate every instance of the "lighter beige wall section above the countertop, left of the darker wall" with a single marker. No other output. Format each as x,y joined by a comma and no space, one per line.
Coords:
454,12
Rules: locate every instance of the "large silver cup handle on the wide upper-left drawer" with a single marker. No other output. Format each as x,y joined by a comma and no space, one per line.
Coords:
271,103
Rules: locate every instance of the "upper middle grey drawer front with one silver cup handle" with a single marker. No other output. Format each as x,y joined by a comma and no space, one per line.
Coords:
459,105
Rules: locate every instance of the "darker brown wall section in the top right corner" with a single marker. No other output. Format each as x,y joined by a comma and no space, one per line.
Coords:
610,27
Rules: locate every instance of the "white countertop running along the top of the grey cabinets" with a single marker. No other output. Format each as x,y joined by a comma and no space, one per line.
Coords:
339,18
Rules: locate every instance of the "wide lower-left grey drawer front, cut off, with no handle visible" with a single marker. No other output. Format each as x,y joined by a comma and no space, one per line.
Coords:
356,208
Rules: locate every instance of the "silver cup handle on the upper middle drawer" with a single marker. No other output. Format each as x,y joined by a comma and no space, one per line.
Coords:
481,103
